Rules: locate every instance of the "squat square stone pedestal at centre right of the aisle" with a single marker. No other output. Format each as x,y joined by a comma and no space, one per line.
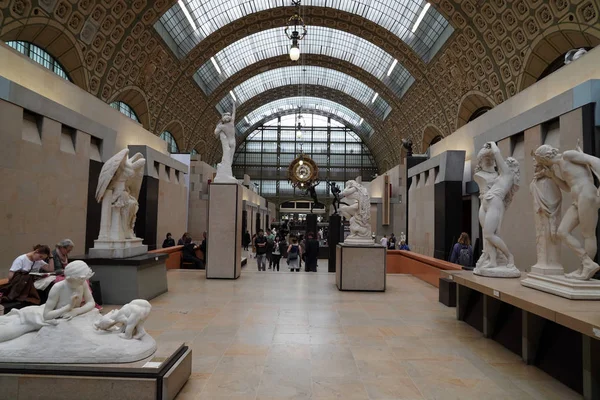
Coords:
361,267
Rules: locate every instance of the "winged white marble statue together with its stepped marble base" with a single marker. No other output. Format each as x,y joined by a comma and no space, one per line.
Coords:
118,190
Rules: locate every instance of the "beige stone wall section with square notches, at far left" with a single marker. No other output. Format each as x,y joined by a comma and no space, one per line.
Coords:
44,183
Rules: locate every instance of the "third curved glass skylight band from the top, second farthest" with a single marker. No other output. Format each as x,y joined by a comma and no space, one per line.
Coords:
309,75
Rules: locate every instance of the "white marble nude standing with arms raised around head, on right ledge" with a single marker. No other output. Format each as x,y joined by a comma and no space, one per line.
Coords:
496,260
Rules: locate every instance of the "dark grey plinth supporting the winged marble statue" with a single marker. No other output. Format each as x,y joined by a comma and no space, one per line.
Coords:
125,279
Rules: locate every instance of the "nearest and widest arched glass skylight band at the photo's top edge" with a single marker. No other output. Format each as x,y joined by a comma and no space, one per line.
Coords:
189,22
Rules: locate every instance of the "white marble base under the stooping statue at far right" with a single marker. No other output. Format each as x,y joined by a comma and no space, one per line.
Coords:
562,286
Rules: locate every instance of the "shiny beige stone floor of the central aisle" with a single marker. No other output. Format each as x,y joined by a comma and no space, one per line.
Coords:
275,336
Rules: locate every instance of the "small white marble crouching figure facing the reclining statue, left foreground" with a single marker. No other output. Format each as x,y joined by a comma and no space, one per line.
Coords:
131,317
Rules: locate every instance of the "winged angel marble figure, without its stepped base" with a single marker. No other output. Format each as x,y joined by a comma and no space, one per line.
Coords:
118,189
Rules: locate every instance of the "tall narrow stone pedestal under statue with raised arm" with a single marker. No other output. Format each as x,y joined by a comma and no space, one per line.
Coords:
223,258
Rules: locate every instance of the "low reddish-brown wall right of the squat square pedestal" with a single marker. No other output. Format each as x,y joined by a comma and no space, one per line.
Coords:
426,268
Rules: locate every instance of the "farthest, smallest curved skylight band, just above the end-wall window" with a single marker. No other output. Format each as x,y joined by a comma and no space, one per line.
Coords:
305,104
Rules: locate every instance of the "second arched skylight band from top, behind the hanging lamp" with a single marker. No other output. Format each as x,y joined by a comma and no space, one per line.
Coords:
320,40
